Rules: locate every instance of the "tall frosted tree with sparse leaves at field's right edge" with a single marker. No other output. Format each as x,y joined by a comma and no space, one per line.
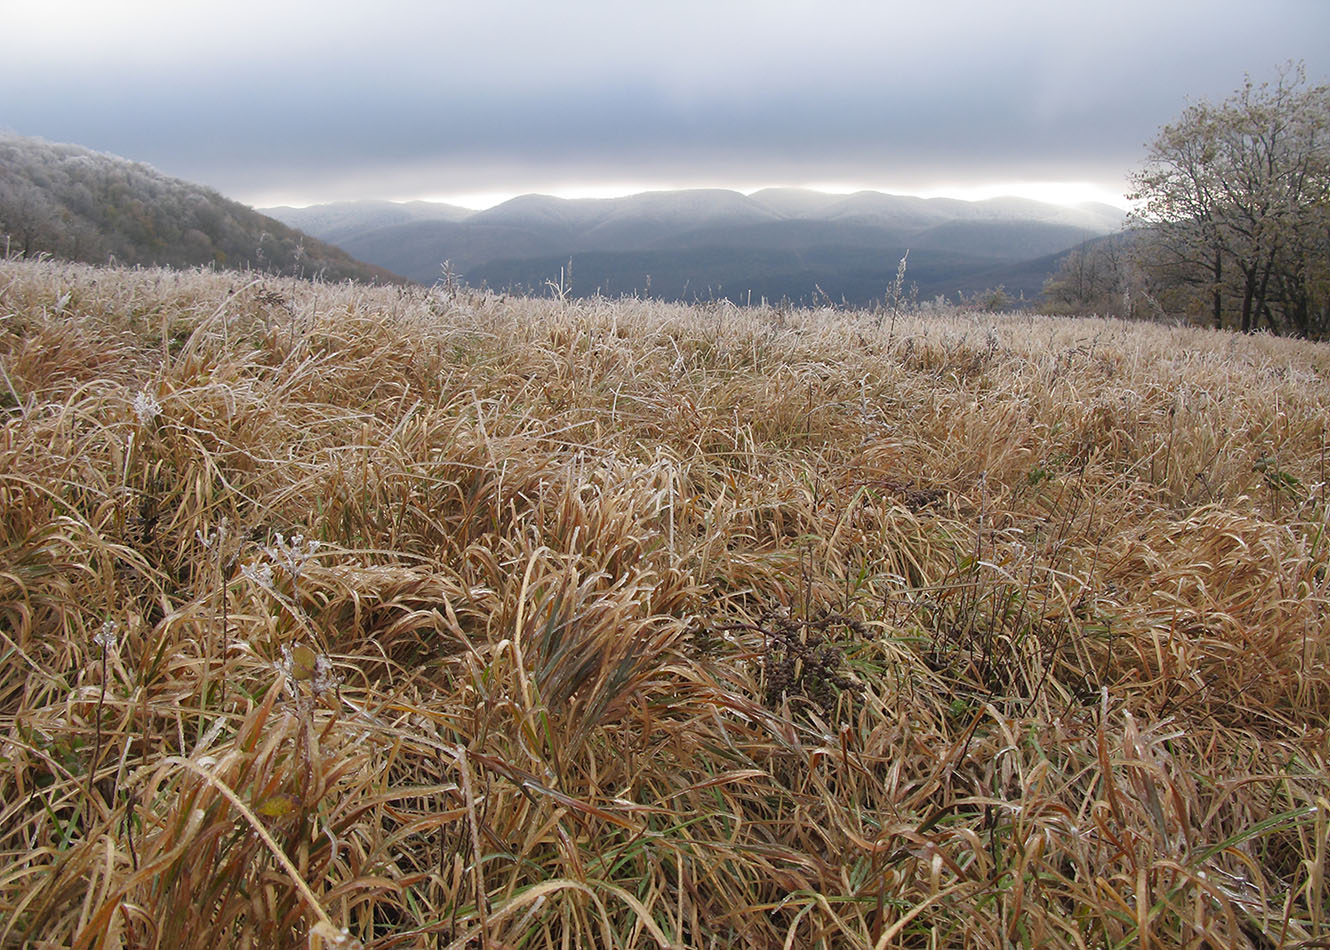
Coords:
1235,200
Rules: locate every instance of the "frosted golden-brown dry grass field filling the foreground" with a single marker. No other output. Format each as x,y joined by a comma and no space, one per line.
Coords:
338,617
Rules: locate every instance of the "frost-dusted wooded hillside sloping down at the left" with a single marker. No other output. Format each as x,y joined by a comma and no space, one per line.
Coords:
83,206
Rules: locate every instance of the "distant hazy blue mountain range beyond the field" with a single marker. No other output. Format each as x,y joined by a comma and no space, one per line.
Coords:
792,244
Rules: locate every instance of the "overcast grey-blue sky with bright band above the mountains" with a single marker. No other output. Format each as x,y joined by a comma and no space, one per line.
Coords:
301,103
